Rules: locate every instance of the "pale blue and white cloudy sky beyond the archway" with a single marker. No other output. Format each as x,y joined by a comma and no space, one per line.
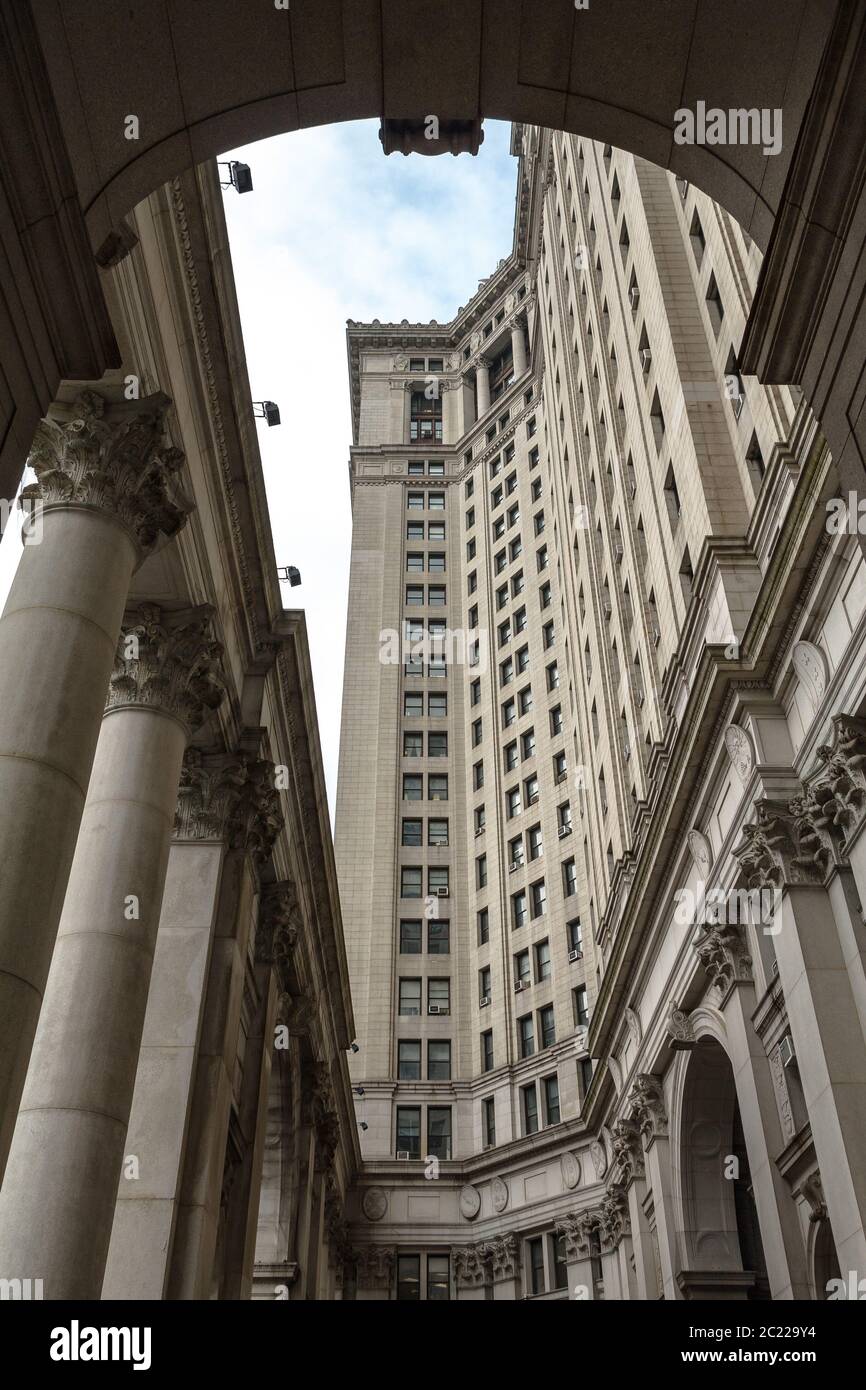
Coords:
334,230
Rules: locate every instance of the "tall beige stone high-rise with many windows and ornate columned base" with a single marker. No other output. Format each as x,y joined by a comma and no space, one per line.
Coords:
601,776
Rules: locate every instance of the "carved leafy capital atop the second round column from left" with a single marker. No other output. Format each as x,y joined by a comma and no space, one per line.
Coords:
168,662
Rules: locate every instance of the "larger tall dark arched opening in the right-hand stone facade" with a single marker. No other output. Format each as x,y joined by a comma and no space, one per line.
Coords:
722,1246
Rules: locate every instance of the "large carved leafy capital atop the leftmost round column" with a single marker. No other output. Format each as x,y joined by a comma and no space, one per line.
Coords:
111,458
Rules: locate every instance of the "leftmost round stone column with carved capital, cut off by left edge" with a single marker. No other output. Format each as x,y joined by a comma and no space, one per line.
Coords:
105,486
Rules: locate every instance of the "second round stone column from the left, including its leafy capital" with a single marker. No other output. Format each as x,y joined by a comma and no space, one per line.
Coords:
58,1202
